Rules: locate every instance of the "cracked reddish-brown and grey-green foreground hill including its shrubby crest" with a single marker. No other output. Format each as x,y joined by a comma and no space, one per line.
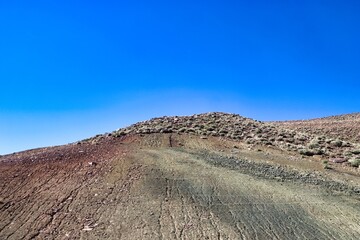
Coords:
160,180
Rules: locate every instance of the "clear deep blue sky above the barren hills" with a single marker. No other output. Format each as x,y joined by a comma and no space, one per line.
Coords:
72,69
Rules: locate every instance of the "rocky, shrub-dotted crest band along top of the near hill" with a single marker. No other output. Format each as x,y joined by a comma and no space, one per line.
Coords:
249,131
